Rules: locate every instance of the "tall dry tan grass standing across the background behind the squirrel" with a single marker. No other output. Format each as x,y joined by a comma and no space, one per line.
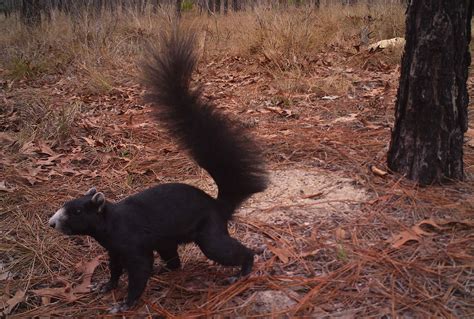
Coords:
286,38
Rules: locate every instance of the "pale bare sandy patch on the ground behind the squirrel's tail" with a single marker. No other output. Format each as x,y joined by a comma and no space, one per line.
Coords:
303,195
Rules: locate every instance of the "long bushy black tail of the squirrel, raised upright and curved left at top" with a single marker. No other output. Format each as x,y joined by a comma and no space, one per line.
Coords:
215,143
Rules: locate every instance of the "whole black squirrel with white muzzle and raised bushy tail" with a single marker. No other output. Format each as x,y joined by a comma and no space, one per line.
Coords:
162,217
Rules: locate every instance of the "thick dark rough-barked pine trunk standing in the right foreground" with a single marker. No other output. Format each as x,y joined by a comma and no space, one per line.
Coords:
431,108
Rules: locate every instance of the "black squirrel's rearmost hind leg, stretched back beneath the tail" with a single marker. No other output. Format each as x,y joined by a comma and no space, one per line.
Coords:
226,251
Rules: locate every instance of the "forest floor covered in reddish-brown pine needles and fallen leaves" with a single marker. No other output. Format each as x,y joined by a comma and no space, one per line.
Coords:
336,235
